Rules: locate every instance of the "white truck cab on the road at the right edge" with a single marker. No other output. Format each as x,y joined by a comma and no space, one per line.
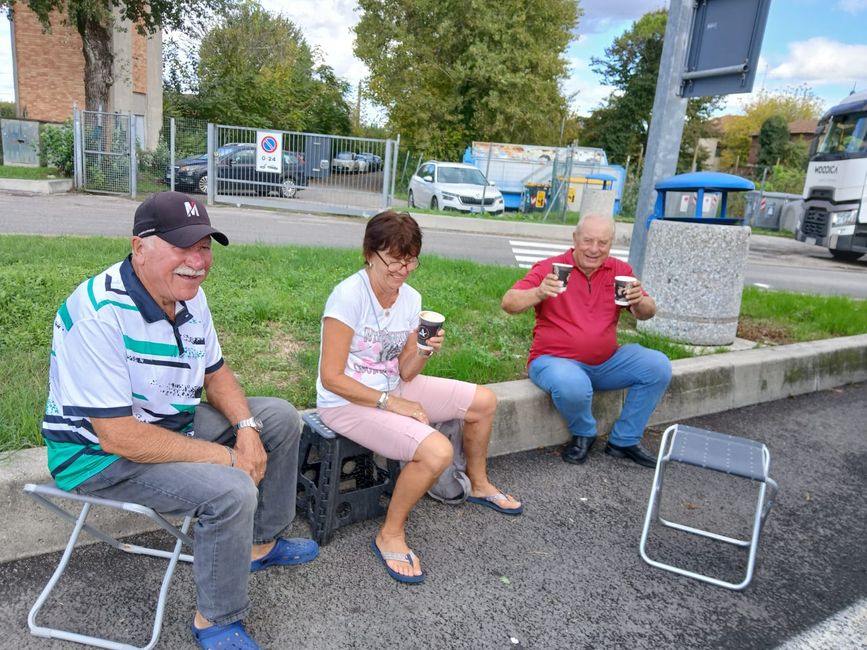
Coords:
835,190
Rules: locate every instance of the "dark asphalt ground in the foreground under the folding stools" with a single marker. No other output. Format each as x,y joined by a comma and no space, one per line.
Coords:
566,574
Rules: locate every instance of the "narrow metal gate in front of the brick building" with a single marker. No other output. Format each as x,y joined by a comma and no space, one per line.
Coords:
104,152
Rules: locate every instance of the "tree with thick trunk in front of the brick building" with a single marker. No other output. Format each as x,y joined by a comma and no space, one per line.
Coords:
96,19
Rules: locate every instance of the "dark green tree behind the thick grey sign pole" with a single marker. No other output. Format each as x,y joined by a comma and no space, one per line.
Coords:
631,65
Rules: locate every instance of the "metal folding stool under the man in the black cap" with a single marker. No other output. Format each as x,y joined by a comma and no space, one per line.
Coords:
44,495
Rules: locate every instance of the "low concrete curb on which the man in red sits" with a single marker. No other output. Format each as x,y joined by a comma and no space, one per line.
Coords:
525,420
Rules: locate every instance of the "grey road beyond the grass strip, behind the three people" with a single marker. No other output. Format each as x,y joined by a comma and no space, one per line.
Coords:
775,262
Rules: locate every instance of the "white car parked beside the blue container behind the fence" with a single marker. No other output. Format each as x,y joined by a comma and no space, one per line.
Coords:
453,186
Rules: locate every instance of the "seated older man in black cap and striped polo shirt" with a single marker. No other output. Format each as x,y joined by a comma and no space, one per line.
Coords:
133,348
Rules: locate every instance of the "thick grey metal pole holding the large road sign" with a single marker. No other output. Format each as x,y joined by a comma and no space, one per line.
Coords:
666,125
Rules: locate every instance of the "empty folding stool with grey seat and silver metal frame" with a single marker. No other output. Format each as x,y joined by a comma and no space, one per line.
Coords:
723,453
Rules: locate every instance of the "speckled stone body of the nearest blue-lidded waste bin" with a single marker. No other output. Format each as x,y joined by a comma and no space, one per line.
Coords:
695,273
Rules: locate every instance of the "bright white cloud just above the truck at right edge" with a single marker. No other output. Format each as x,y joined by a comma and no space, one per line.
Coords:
819,61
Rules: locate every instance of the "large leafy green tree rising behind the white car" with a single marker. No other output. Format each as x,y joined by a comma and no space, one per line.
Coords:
452,71
